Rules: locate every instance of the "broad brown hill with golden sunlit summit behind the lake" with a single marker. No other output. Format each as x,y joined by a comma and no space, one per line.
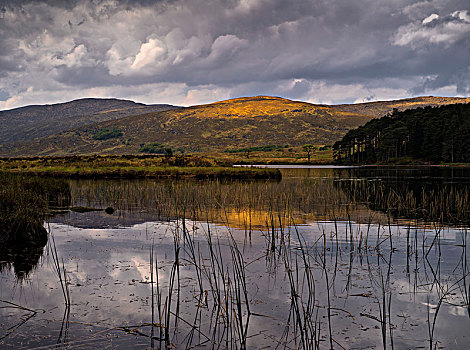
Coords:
235,123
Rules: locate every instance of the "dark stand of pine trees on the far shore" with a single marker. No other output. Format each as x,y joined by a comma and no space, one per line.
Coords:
435,134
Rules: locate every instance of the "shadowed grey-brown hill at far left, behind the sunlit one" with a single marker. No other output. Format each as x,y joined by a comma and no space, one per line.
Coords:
26,123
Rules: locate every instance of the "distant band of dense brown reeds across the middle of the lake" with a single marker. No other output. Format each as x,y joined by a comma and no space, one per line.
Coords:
307,200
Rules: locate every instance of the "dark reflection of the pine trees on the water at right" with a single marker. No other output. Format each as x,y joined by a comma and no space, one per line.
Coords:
428,194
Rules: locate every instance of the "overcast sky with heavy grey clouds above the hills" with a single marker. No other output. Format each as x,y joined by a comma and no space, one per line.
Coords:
187,52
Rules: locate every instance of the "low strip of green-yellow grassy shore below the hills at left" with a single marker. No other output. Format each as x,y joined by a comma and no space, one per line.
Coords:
130,167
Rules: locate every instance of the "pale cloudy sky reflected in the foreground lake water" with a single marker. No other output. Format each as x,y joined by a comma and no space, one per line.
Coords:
109,272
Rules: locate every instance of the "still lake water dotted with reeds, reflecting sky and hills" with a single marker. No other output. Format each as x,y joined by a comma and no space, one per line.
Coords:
343,258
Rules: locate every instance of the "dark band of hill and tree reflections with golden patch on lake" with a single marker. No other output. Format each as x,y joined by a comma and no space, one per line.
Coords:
363,194
